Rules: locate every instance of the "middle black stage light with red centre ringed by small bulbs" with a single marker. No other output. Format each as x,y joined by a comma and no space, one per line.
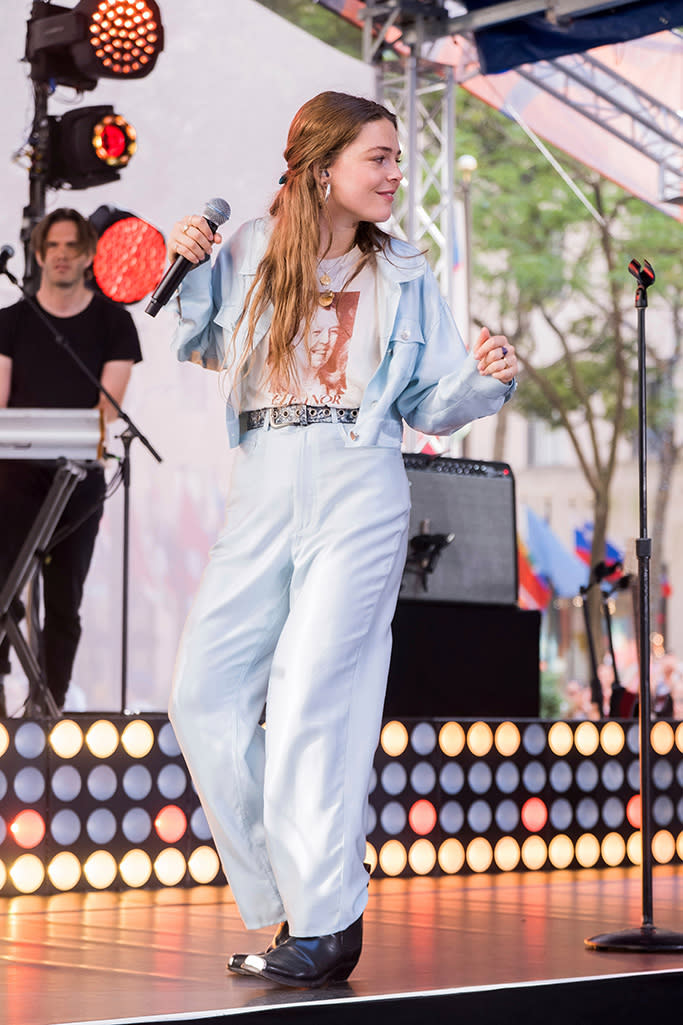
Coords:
89,147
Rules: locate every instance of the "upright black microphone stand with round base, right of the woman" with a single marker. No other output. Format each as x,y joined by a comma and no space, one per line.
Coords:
648,939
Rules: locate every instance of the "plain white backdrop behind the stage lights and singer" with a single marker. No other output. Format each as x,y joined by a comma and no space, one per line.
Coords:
212,121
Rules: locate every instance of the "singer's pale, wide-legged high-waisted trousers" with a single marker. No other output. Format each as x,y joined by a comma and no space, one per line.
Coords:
295,612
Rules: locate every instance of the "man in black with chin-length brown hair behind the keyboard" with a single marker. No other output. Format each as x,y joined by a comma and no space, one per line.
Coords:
36,373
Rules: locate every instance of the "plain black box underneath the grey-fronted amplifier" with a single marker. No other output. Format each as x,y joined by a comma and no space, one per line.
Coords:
464,661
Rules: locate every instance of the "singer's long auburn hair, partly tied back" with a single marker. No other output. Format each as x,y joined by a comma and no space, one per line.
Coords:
287,277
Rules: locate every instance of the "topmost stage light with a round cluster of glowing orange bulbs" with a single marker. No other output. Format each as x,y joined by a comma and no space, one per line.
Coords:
96,39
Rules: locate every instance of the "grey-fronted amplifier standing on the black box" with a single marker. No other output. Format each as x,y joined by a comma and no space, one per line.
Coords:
463,542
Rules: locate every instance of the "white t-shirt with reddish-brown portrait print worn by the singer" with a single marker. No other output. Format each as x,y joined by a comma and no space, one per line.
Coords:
342,353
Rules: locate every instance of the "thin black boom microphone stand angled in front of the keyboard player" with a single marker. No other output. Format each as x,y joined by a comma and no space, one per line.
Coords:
128,437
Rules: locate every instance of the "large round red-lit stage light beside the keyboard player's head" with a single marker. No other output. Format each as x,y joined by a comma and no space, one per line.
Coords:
130,259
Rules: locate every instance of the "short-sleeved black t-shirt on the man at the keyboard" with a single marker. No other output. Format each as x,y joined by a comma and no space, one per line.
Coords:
45,377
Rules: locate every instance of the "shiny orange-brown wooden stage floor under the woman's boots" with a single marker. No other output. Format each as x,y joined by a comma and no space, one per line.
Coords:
159,956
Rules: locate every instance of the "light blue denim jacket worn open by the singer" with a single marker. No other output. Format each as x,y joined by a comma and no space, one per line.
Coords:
426,376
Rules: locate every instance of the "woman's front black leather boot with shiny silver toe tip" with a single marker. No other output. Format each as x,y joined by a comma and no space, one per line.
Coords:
310,962
